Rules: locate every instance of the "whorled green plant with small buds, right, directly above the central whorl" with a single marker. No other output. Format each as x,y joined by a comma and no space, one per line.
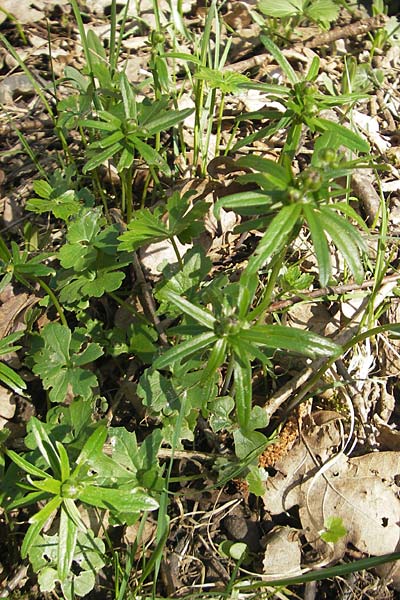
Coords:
287,201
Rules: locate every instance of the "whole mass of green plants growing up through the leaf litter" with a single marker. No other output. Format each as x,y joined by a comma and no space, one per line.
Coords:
203,334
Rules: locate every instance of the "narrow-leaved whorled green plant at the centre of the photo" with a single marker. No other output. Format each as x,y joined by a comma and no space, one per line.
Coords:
233,338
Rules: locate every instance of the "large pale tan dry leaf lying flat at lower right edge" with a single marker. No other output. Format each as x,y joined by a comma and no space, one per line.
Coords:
361,491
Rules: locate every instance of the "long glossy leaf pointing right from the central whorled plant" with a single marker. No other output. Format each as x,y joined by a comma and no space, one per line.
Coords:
292,339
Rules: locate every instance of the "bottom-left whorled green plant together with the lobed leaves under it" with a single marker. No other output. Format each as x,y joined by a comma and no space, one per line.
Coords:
110,483
